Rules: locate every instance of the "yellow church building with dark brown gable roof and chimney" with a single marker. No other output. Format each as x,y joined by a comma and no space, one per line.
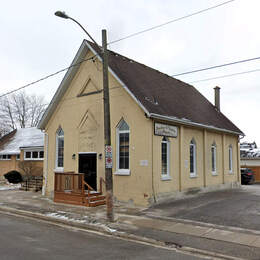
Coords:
167,138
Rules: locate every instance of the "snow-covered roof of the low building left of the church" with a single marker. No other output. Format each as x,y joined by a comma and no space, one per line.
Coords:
21,138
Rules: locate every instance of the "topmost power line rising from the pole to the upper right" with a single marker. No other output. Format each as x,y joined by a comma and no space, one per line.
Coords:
172,21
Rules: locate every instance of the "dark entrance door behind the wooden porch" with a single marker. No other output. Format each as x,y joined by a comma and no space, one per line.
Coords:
88,166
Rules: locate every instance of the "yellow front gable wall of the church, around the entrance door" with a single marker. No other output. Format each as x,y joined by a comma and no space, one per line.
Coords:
81,119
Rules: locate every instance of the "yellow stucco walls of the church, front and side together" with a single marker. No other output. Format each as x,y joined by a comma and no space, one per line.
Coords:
81,119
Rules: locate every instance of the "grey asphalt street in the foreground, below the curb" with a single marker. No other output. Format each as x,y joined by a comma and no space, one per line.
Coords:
22,238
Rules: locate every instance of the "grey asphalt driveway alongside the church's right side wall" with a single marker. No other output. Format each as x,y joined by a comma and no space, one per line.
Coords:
234,207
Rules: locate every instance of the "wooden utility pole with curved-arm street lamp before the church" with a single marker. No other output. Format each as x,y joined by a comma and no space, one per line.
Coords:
107,131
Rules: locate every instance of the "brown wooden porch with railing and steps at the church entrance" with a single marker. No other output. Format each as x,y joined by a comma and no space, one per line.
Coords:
70,188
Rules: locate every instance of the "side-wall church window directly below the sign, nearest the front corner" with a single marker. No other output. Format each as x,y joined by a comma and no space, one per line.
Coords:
165,159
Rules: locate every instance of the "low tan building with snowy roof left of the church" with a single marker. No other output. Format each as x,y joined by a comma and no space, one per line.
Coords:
22,150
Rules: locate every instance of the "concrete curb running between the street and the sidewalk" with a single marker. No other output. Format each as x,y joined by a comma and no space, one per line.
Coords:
106,230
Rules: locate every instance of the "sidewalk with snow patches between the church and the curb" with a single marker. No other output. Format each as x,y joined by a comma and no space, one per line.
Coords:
132,223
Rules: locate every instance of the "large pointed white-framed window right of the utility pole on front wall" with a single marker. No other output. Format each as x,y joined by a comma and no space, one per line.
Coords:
122,153
